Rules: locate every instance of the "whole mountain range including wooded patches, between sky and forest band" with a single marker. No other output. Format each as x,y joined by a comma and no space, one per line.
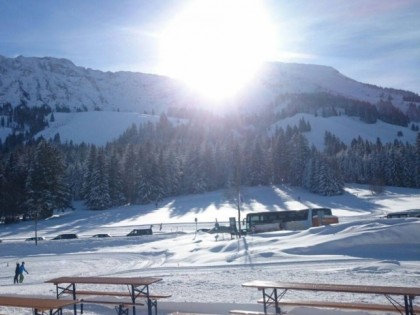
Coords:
283,93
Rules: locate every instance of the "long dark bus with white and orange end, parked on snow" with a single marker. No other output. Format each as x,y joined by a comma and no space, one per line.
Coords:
288,220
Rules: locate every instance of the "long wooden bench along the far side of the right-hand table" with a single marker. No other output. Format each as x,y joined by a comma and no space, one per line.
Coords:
343,305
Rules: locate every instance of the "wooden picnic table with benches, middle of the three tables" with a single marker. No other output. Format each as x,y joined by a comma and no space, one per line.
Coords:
138,287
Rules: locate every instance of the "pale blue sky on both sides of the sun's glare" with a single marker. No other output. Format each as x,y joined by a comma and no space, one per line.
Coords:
372,41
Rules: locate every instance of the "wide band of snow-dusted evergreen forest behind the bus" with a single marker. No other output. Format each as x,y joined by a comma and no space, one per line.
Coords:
153,161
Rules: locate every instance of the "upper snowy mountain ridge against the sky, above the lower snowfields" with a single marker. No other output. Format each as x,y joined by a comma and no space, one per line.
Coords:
60,83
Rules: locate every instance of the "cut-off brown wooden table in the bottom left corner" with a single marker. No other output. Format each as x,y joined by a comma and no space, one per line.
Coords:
37,304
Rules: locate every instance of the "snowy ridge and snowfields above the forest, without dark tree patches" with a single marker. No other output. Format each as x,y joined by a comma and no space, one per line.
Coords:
121,96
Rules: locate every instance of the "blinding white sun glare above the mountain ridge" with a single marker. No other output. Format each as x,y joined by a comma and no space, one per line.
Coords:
217,46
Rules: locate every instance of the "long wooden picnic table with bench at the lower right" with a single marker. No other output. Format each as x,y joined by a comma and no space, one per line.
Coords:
274,291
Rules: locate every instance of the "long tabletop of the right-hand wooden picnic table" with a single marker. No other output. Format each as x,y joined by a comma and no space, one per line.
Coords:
373,289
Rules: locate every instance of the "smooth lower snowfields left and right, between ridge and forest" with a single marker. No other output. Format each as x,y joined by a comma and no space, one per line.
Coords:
101,127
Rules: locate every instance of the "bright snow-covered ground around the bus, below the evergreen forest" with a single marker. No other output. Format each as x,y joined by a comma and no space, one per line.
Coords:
204,274
